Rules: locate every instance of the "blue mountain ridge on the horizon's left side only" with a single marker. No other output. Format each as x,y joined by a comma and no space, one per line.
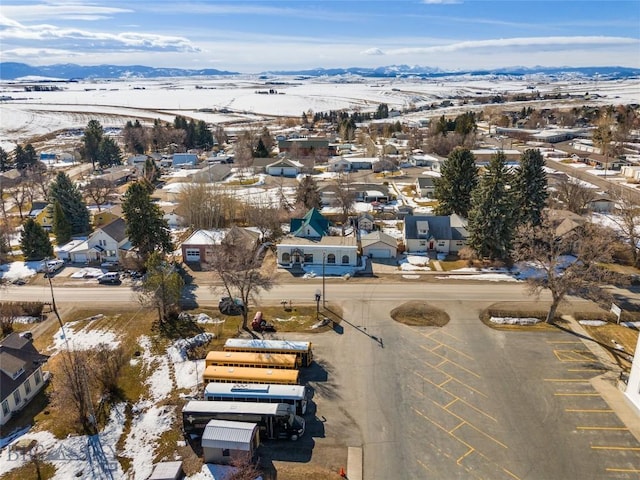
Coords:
68,71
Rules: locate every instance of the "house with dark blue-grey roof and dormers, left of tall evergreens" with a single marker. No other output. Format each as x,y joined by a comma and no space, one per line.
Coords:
434,234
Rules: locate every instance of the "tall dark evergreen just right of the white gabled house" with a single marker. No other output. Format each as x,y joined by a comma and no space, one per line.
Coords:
146,229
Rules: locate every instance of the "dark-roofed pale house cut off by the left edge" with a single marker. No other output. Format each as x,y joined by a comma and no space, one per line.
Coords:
21,375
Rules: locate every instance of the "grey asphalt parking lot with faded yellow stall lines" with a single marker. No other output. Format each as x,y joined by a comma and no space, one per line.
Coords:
466,401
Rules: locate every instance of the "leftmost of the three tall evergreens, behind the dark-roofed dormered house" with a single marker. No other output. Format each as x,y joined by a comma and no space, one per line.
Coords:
459,177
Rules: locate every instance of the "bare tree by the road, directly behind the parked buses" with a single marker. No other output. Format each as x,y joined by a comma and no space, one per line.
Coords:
239,268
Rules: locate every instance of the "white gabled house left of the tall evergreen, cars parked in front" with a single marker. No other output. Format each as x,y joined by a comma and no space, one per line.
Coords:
106,244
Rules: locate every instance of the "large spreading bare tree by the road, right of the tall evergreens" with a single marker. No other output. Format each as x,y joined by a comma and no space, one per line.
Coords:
570,263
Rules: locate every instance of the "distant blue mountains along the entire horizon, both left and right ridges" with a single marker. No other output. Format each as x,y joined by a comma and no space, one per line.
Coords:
13,71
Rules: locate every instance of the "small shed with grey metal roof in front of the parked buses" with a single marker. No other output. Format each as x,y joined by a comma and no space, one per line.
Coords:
224,440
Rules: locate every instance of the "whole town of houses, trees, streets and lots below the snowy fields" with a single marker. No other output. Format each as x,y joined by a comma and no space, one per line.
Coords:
372,285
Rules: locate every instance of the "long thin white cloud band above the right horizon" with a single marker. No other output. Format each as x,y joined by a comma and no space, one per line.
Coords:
558,42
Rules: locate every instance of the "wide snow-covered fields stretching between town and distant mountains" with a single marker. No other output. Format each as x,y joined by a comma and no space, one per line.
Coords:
27,114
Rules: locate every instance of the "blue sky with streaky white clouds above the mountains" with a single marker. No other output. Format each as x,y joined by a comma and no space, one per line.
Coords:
257,36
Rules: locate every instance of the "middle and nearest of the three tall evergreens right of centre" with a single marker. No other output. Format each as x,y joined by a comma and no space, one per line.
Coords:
491,218
